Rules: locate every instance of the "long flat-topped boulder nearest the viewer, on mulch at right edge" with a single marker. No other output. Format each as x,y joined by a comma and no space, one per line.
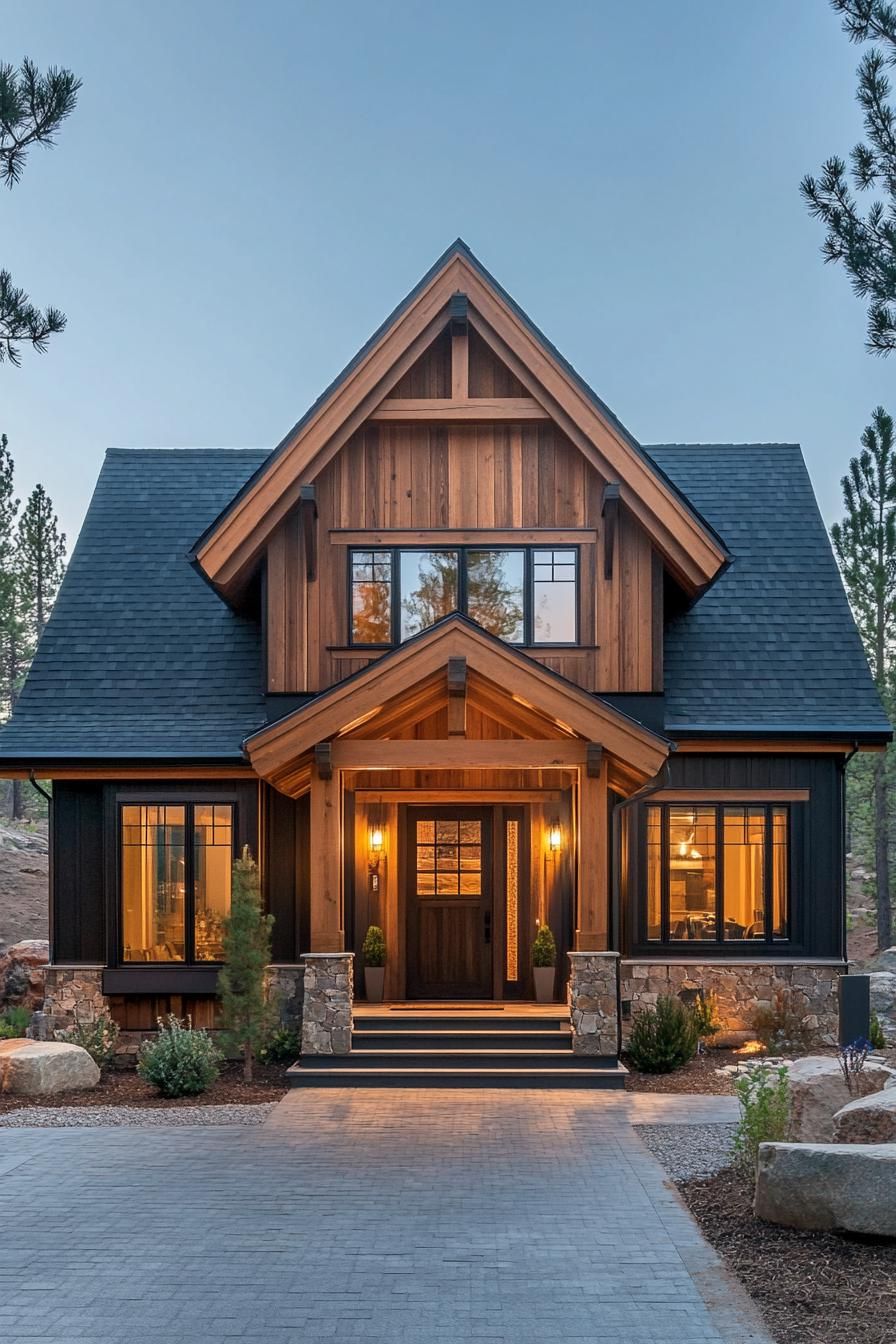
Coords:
825,1187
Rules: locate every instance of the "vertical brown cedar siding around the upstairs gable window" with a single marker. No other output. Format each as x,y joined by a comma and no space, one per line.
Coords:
429,478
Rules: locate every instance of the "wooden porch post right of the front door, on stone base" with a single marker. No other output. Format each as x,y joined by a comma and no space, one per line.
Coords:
593,868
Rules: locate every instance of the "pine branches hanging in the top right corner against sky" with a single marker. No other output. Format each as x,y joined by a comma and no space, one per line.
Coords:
864,240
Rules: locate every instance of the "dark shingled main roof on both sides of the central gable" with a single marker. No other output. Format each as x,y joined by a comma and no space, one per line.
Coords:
142,658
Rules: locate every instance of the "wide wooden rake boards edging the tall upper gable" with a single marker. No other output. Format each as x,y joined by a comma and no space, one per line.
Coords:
232,546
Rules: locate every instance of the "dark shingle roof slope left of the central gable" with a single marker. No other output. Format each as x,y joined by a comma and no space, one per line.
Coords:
140,657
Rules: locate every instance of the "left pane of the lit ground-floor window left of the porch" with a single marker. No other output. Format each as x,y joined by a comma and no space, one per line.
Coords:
154,884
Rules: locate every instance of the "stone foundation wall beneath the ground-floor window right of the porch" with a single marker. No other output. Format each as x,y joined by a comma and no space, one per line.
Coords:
740,989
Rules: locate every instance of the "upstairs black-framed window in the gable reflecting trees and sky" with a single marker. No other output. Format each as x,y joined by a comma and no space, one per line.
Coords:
526,596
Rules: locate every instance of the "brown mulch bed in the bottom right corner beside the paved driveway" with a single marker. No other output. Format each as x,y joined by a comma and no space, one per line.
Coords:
813,1288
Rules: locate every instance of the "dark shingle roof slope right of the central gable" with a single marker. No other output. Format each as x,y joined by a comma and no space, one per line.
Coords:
772,644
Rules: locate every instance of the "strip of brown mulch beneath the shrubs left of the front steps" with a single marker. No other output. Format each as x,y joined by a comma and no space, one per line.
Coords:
124,1088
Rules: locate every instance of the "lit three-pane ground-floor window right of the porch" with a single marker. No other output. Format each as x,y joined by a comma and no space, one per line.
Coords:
717,873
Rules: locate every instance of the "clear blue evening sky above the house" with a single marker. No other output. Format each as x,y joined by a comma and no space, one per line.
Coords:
247,190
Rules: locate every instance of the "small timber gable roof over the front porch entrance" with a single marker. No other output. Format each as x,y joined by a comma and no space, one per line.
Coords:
408,682
